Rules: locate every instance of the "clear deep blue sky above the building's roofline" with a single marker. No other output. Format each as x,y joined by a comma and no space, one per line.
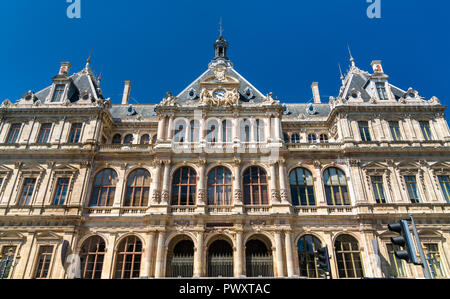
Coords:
279,46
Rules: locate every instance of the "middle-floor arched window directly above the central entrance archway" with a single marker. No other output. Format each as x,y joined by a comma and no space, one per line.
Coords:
220,186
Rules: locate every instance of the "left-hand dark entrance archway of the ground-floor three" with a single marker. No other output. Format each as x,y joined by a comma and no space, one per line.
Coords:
180,259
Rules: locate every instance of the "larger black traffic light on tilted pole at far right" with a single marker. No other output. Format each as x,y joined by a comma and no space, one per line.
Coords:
405,241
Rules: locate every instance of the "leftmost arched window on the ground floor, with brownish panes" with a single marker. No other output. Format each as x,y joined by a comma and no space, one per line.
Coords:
92,255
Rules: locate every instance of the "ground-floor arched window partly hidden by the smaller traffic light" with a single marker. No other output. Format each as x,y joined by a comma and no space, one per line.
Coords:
307,248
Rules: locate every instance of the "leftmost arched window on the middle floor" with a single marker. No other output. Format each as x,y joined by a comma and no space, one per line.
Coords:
104,189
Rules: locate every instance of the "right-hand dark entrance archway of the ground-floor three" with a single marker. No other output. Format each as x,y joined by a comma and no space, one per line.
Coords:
259,259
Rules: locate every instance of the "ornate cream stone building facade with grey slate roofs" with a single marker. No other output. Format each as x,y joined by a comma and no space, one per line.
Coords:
221,180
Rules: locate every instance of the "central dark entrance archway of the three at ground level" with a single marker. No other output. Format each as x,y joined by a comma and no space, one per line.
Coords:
220,259
